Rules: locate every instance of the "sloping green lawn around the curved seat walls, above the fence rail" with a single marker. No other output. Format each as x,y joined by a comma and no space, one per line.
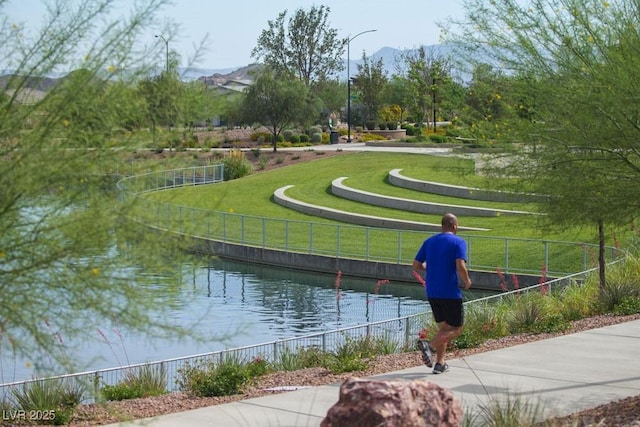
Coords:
252,195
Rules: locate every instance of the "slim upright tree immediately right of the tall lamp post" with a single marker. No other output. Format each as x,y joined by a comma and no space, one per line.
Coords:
370,82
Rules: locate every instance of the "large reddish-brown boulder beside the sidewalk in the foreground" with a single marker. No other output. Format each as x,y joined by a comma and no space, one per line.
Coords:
369,403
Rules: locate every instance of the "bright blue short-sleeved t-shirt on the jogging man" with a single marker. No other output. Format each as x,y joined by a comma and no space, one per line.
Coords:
440,253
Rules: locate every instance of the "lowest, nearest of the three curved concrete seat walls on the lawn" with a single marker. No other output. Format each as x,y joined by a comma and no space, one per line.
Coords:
366,220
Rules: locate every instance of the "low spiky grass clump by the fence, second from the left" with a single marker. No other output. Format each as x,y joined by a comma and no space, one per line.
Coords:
146,381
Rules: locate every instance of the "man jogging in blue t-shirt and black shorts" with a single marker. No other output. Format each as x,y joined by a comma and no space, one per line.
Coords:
444,257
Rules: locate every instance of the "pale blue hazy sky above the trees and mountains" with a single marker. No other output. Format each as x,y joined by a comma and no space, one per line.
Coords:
234,26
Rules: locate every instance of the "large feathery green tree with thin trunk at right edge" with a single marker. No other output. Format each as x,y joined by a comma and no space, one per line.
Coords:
580,141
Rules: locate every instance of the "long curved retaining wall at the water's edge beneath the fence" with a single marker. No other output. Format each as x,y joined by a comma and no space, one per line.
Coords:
331,265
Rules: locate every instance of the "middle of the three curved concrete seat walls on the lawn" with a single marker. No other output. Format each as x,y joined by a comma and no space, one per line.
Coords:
341,190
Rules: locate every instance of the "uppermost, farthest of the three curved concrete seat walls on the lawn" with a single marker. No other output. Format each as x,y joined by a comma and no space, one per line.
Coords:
399,180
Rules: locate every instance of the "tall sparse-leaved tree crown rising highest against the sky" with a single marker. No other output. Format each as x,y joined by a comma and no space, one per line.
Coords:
307,49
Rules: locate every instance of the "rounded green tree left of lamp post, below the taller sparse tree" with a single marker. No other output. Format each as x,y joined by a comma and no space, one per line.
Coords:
278,104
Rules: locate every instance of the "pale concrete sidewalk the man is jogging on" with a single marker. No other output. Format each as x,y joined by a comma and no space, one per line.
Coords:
564,375
